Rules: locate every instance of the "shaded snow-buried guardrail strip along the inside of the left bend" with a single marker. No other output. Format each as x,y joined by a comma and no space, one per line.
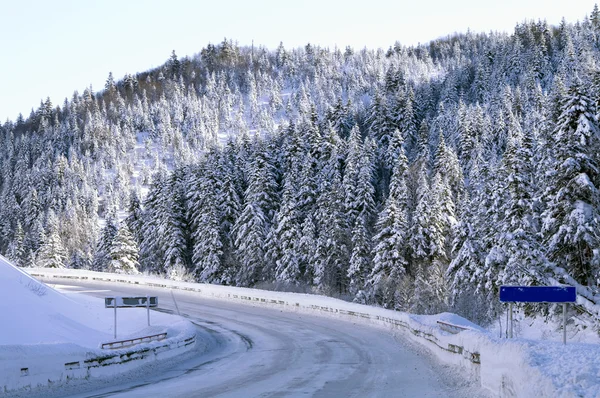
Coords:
25,368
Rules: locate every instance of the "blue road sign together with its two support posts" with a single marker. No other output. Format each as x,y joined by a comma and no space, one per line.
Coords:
538,294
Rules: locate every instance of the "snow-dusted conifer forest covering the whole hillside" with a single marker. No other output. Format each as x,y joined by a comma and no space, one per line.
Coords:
415,178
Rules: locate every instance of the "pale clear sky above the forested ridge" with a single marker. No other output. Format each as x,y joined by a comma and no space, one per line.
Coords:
52,48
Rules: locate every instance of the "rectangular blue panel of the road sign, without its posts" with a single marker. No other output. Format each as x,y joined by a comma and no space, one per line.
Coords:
537,294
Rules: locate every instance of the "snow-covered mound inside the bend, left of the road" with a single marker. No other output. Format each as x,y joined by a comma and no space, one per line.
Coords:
51,338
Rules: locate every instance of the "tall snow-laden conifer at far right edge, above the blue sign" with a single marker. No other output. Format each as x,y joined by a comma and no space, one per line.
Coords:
571,221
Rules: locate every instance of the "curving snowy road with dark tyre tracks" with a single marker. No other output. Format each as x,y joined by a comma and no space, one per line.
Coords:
263,352
